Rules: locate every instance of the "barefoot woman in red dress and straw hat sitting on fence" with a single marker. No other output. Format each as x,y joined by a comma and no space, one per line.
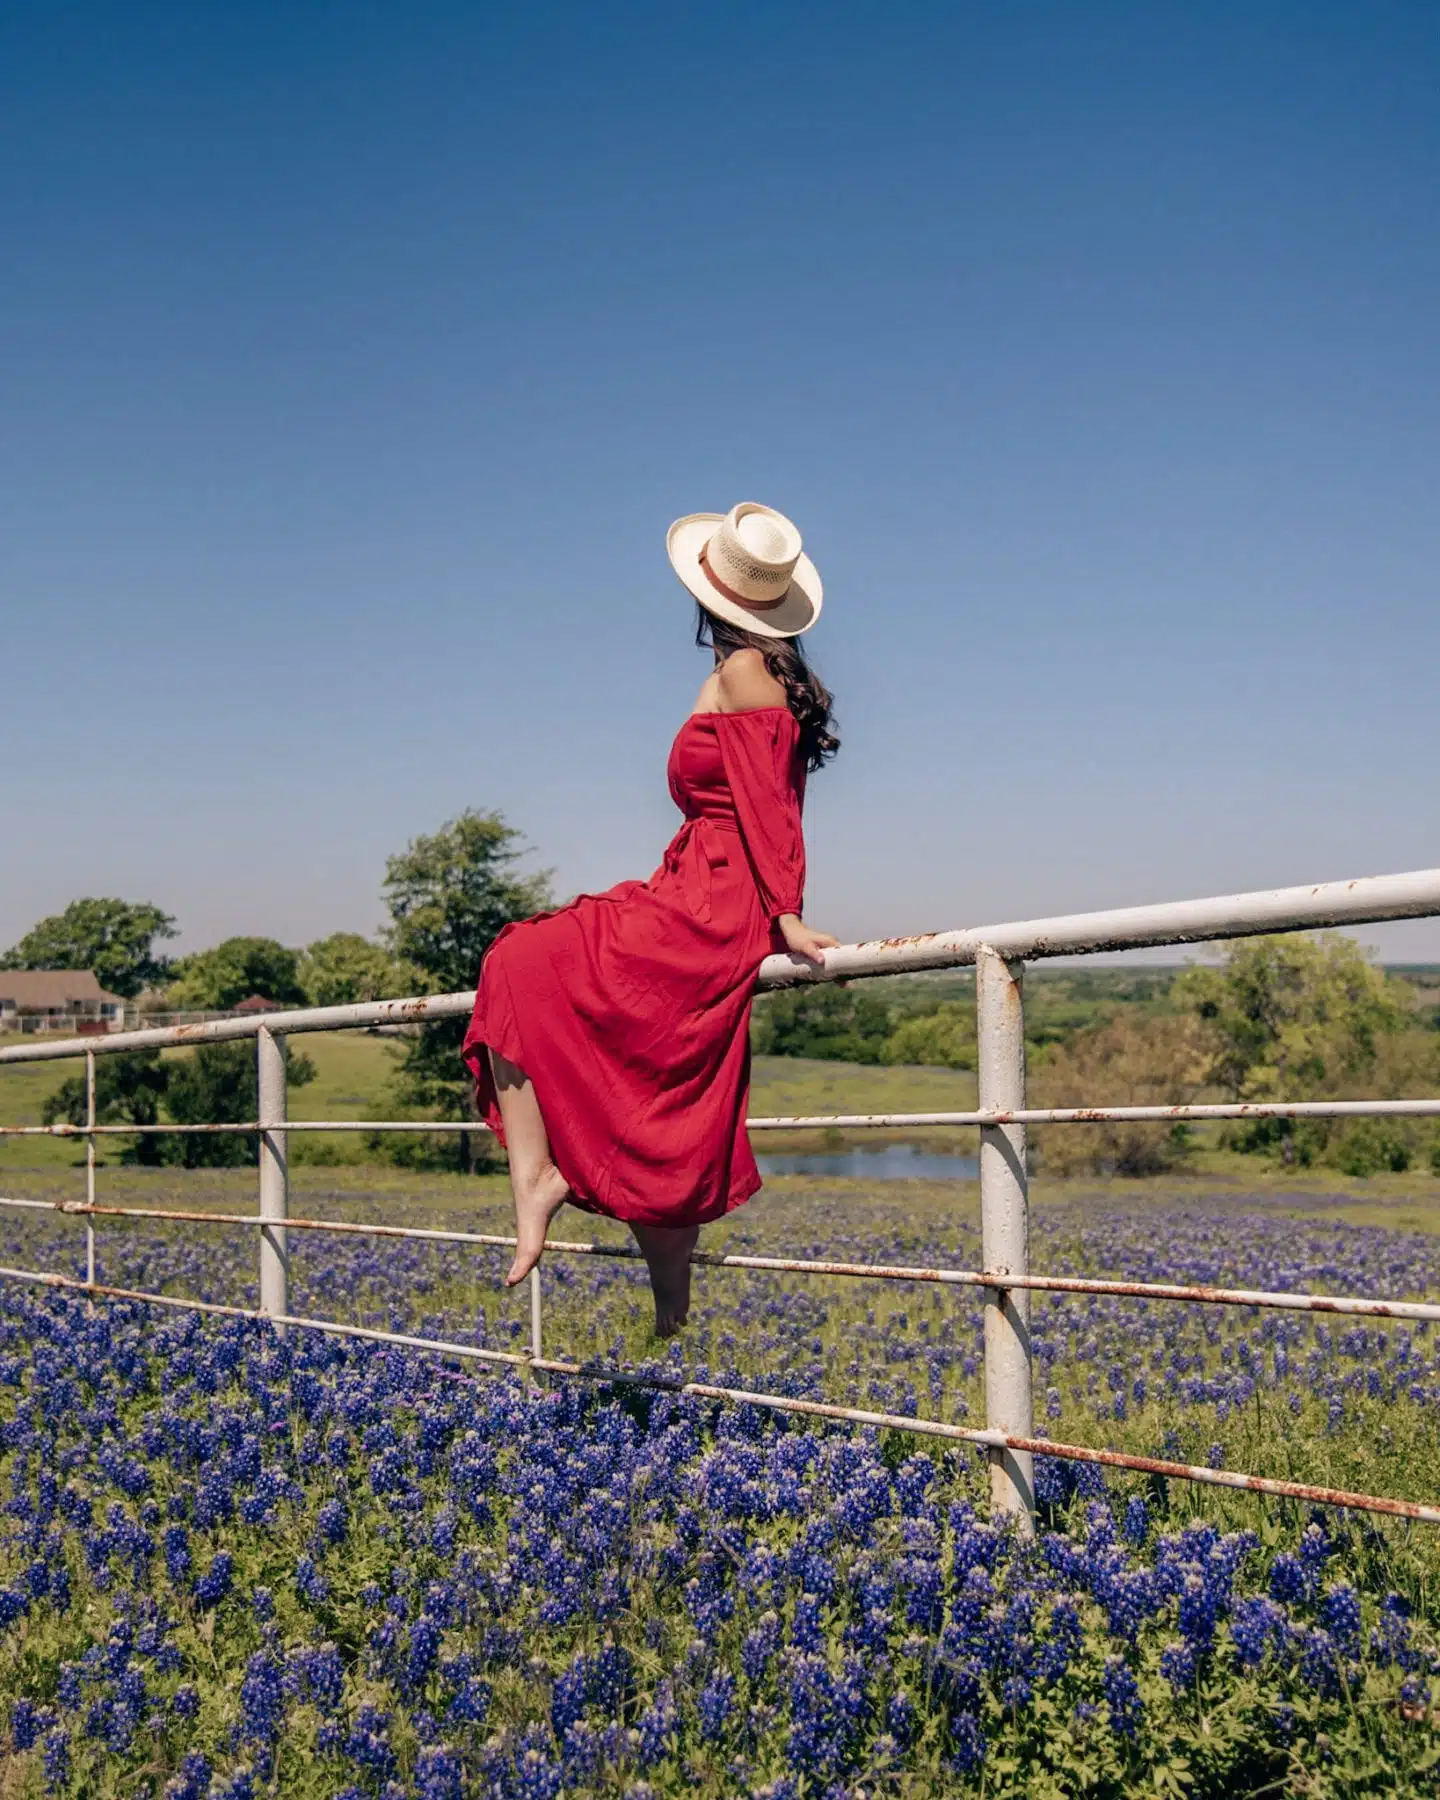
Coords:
611,1038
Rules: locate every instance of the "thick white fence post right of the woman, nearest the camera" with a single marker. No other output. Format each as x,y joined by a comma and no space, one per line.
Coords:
1005,1232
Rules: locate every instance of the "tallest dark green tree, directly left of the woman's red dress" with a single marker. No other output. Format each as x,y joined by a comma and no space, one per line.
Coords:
449,897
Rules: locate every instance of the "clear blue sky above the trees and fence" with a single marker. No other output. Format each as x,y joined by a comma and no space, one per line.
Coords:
354,361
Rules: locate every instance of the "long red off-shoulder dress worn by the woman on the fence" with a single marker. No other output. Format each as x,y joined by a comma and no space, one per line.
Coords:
631,1009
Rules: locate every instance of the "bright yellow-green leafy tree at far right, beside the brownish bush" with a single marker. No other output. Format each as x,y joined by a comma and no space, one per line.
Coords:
1293,1018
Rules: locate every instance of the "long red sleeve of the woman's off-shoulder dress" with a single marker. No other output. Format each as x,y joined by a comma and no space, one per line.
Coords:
766,777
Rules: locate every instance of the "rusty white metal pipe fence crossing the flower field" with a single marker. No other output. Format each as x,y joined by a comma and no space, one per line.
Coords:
998,955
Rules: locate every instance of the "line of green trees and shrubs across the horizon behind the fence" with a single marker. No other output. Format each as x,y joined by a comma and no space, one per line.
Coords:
1290,1018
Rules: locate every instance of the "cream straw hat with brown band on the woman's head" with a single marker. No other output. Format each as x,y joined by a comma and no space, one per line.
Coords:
748,568
